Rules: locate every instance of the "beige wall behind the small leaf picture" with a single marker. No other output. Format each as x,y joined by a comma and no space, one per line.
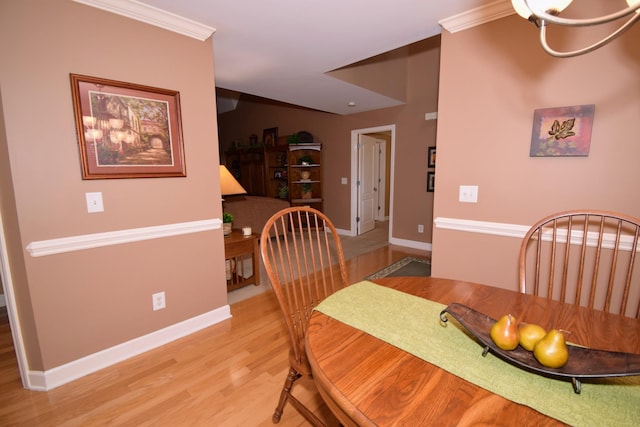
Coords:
492,79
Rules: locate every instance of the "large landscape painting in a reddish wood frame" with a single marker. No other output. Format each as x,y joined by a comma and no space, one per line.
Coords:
127,130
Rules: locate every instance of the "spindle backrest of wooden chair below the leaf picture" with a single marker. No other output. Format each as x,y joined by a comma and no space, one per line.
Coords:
594,270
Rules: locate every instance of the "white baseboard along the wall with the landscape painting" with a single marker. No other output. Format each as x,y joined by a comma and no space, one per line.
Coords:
47,380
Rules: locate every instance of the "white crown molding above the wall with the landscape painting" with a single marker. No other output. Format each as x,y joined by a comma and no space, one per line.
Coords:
154,16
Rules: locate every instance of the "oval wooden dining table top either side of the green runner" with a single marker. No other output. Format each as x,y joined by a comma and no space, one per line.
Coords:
366,381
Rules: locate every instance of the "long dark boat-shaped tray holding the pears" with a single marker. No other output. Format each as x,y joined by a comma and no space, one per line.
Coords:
583,362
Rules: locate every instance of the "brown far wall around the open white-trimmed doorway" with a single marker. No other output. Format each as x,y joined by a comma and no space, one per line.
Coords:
413,205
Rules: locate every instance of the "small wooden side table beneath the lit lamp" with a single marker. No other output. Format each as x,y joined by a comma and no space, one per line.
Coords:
237,250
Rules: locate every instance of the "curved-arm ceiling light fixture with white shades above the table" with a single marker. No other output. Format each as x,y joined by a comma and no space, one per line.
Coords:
543,12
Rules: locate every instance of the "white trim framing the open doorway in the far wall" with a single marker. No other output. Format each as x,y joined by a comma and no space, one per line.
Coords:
355,136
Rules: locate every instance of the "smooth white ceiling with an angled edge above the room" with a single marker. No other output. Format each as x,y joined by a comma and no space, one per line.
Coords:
282,49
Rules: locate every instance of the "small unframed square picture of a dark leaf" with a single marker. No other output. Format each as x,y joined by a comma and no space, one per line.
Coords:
562,131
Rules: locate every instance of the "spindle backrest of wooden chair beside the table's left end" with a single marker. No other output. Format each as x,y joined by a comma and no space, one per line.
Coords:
305,264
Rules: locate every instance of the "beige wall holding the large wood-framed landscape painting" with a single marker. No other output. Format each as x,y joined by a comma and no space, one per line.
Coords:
77,303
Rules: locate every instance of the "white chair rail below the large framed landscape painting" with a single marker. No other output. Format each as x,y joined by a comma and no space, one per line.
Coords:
96,240
